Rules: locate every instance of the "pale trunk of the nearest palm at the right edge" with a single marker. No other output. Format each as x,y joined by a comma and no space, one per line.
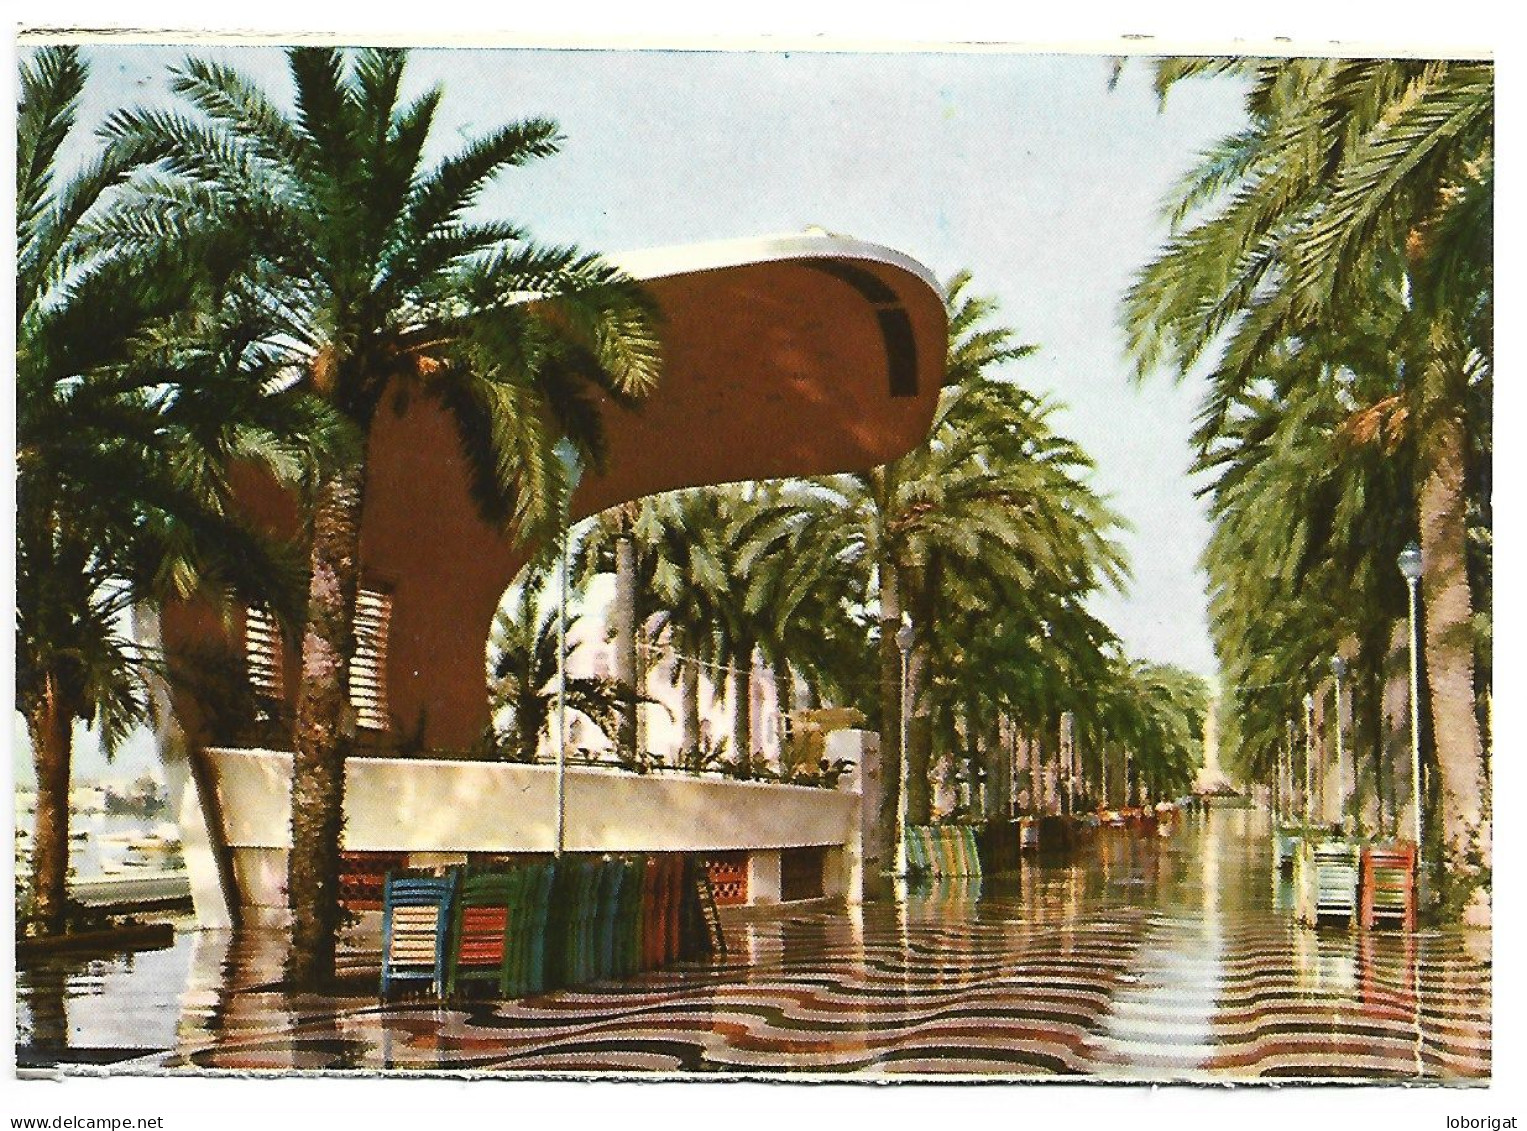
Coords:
1450,665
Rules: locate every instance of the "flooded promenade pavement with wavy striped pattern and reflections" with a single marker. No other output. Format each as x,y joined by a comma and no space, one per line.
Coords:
1138,959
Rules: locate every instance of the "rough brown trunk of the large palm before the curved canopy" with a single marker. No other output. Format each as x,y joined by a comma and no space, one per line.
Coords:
326,730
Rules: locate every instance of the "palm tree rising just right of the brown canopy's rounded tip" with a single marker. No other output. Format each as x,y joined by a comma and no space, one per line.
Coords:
995,500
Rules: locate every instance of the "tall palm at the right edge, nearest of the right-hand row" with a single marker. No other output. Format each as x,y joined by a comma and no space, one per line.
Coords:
1349,175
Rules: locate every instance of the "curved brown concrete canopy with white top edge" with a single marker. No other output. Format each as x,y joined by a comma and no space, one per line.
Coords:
799,355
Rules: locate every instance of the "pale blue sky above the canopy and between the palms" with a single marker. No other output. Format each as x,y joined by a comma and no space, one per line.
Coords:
1025,169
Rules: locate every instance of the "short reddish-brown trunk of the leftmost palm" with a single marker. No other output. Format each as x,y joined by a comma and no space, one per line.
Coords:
51,730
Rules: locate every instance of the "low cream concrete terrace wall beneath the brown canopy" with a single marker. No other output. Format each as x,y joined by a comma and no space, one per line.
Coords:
441,811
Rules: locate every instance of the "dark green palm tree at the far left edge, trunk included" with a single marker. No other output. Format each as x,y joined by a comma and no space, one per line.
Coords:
135,390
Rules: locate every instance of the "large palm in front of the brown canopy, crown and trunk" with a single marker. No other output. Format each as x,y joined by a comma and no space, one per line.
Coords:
379,275
